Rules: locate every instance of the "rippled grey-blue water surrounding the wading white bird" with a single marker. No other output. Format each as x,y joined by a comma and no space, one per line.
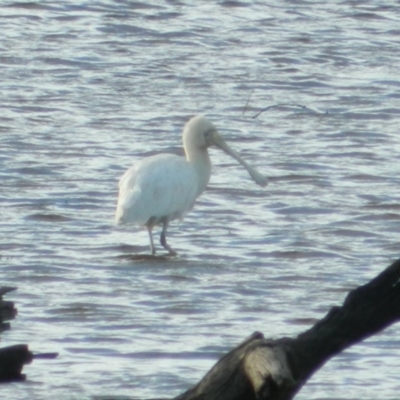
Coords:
88,88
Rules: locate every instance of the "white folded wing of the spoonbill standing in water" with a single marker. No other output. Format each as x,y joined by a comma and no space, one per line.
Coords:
163,186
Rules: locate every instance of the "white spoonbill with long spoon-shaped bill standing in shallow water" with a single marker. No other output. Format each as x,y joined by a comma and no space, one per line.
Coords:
164,187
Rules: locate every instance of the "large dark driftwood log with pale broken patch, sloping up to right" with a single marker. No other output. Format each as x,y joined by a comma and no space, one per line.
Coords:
261,369
